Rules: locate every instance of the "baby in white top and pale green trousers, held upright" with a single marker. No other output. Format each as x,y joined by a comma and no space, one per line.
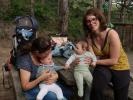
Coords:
81,70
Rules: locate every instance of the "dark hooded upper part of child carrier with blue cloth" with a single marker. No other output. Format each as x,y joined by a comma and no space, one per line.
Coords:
25,31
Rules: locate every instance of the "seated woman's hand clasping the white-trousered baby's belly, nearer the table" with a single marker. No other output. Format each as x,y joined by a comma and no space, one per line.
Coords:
52,79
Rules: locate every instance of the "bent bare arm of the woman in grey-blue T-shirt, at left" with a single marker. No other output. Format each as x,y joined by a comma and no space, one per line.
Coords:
25,79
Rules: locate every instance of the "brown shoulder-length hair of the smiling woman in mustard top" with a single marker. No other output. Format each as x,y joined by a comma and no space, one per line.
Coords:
99,15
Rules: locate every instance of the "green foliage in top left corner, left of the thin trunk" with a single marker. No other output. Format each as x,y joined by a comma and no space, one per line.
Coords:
16,9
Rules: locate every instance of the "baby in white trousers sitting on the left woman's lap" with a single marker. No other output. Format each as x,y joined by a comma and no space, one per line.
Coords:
47,64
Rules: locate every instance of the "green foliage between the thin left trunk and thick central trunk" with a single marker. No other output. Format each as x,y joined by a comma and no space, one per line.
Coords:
48,16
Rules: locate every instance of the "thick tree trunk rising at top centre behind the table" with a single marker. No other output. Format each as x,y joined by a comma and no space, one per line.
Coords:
63,15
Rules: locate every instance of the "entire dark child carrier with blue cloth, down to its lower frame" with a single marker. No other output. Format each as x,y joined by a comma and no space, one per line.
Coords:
25,32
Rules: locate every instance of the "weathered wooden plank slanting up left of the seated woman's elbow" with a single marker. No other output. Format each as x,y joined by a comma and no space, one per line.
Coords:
16,84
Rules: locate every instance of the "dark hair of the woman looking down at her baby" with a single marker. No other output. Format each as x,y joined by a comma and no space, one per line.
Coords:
41,44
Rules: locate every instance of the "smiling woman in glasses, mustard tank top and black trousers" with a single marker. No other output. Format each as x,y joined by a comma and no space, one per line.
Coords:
112,62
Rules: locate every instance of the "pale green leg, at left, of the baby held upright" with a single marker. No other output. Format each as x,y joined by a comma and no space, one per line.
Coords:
79,82
